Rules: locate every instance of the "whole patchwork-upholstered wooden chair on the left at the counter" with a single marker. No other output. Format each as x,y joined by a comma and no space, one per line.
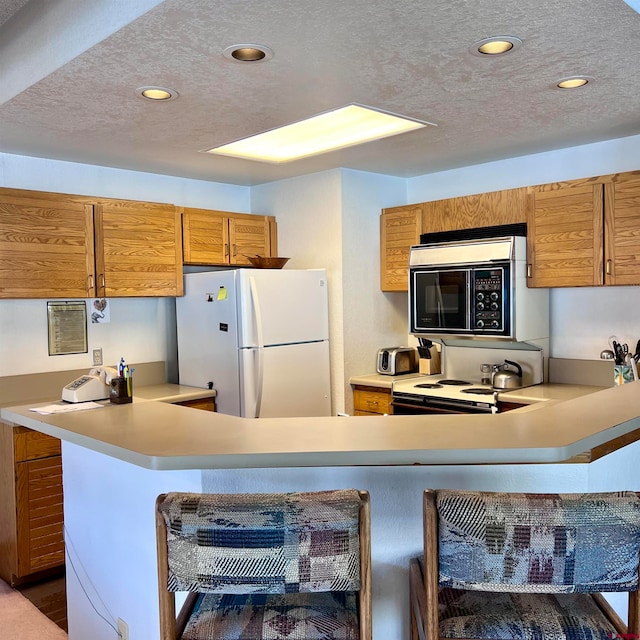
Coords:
264,555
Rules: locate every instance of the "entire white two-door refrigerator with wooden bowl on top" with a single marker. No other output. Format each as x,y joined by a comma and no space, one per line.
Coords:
260,338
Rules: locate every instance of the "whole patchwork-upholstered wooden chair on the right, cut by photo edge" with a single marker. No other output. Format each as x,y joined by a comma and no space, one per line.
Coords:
526,566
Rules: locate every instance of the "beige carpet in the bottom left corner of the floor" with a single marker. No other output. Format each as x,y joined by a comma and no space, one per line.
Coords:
21,620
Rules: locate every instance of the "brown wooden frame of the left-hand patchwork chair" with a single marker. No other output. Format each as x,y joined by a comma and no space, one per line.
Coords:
172,627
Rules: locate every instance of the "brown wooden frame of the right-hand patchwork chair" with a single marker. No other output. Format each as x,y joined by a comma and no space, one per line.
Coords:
423,589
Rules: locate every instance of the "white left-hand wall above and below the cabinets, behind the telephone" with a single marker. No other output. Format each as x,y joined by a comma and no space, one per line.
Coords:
141,329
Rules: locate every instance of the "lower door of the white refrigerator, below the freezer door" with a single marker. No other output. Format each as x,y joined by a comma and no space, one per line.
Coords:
295,381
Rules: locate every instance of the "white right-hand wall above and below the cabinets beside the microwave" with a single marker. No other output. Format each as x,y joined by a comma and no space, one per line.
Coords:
582,319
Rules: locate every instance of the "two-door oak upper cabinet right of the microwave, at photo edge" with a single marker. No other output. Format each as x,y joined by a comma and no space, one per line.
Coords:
585,232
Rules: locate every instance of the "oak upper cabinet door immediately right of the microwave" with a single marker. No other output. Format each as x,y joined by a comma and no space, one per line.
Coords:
565,234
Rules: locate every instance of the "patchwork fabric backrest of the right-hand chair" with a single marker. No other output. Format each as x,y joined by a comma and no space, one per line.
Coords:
538,542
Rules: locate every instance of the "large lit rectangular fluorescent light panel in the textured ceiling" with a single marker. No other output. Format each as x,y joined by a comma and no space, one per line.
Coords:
325,132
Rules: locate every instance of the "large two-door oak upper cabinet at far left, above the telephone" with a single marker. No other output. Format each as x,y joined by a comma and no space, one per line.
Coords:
64,246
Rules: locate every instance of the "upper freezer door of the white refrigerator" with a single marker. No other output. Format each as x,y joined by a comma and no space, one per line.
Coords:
282,306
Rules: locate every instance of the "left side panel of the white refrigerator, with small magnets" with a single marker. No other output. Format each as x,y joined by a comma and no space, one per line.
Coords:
208,337
